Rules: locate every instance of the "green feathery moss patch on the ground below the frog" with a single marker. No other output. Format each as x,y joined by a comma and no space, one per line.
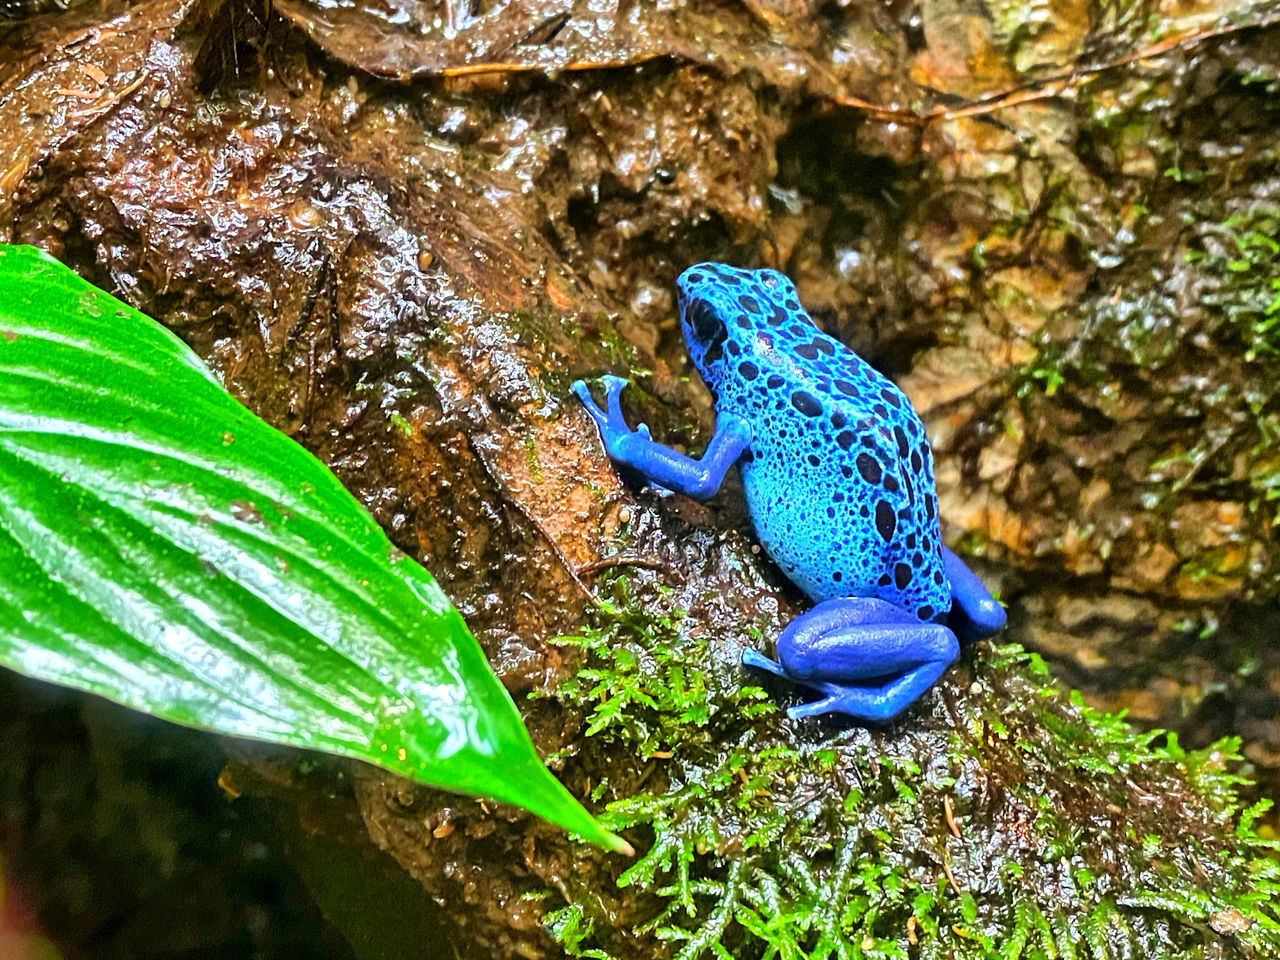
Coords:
1012,822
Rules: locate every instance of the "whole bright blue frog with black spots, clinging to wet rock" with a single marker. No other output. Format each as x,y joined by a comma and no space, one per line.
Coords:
839,481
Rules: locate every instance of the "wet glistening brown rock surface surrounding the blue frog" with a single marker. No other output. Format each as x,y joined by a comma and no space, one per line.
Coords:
1058,246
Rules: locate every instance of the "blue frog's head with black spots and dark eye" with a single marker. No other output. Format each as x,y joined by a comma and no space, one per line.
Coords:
724,308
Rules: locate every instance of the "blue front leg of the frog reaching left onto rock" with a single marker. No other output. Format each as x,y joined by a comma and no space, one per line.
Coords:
657,464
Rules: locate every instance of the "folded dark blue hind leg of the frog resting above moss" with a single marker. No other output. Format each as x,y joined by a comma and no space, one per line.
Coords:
870,659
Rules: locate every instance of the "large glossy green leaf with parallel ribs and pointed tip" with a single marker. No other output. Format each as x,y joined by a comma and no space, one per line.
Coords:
164,548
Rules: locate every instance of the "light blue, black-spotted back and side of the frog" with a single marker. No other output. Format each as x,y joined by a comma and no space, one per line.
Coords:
839,476
